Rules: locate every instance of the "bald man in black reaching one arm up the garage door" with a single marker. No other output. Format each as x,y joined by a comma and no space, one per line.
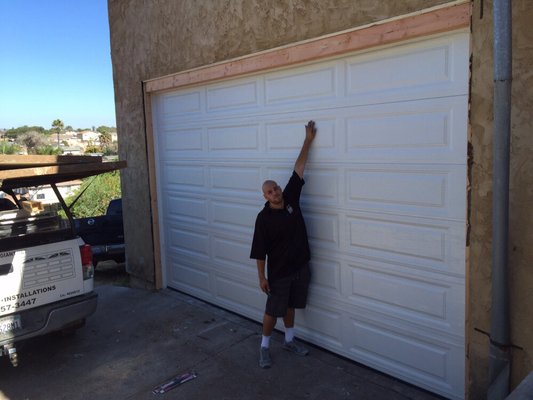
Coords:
280,240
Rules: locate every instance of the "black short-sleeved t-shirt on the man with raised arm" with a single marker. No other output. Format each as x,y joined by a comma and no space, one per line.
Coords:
280,236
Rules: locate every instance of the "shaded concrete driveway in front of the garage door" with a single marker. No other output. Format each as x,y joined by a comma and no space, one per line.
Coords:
139,339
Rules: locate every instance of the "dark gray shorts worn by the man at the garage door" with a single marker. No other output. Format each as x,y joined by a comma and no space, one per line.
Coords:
288,292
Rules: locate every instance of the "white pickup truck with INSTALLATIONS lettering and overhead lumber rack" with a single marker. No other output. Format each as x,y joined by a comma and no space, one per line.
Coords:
46,270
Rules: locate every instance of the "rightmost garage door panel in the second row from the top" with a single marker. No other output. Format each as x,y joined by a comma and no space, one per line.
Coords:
428,131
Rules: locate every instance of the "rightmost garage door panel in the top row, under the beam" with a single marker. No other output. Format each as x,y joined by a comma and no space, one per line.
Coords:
410,71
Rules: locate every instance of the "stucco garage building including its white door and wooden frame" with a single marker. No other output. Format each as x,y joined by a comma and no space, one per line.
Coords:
399,182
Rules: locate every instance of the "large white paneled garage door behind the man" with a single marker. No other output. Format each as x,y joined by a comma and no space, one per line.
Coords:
384,201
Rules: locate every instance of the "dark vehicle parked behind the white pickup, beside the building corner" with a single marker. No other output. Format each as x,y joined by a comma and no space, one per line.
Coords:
104,233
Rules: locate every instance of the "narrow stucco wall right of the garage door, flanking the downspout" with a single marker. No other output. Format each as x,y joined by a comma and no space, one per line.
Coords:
521,193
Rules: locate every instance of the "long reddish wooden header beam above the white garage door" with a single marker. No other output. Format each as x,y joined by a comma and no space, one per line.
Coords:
430,22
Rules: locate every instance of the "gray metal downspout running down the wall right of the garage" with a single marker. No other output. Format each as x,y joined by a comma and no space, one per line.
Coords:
500,343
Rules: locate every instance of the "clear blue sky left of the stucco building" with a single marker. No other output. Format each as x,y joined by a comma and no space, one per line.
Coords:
55,63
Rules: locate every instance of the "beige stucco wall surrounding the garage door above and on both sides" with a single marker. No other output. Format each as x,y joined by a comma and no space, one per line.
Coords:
150,39
